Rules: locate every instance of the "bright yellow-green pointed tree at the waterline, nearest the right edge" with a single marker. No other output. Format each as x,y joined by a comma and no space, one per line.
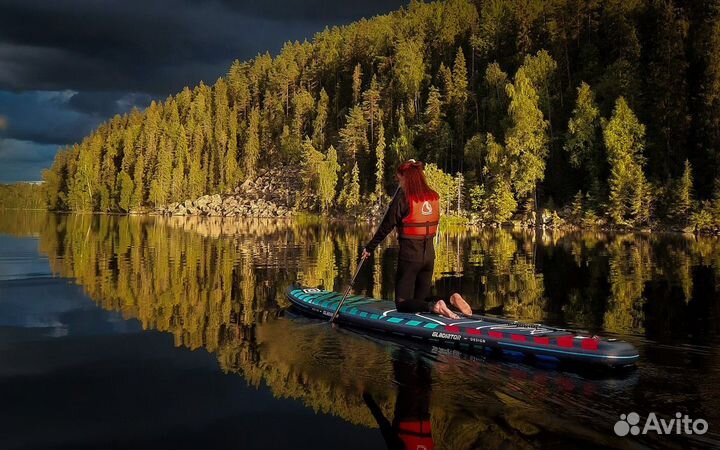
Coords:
624,138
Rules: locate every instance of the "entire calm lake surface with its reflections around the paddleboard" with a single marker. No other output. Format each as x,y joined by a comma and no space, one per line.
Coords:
150,332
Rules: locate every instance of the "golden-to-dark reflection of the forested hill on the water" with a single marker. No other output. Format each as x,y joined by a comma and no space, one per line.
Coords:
219,285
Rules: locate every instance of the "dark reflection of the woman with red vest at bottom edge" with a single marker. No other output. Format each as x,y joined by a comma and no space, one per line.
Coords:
410,428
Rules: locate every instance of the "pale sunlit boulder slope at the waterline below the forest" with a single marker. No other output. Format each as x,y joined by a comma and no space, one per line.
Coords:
274,193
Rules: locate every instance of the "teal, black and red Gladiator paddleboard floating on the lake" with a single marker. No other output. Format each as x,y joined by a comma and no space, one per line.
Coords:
470,333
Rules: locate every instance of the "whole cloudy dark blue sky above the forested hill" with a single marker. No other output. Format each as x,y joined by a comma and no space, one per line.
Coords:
68,65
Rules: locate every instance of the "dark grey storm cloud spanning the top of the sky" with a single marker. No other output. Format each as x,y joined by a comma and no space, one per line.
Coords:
154,46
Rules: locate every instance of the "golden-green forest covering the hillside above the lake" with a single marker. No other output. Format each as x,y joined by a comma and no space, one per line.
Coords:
609,108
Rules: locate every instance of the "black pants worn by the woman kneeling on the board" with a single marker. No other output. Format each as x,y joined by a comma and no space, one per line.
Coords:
413,279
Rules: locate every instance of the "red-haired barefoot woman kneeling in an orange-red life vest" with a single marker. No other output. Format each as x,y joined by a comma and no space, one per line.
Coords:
415,212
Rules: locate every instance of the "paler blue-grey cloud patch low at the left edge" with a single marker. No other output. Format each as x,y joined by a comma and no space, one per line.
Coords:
24,160
